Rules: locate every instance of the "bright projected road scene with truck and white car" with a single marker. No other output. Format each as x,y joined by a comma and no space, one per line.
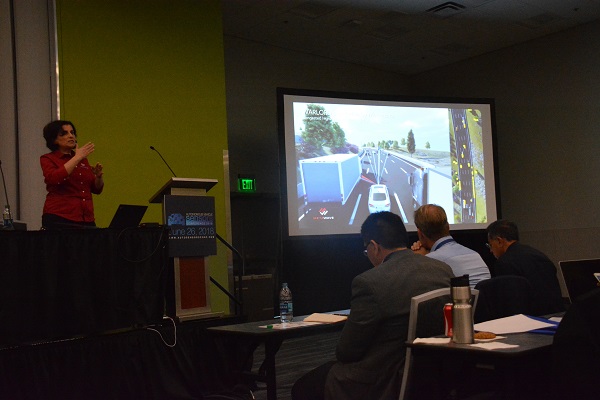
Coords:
352,160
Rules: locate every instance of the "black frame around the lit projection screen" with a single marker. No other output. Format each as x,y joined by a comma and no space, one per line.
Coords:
350,96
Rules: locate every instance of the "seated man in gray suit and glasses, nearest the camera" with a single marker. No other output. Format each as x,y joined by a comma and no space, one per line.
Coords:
371,351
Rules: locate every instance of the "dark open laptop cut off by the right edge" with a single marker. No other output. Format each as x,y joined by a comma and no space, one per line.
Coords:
579,276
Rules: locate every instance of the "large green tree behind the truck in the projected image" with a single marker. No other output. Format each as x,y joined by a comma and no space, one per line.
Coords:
320,130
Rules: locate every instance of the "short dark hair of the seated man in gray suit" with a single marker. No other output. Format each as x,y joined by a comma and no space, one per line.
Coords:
386,229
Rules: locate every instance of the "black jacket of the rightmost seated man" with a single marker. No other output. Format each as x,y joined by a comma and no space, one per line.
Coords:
539,270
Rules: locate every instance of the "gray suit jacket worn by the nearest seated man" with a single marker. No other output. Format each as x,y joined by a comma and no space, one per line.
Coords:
372,348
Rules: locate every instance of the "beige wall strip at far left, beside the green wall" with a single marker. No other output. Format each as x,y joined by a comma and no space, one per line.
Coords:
26,102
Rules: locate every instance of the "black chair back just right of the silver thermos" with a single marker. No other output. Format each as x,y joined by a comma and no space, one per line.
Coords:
503,296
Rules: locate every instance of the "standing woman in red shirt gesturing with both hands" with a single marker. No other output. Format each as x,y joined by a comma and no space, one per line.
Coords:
69,178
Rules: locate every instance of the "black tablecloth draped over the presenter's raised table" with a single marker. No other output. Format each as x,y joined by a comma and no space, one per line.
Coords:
60,284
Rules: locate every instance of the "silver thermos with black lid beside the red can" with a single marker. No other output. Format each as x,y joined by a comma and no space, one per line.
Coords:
462,311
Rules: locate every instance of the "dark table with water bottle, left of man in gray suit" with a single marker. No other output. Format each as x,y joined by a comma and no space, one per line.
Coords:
239,341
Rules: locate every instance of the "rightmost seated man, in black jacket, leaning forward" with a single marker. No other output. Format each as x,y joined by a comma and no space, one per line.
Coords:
514,258
